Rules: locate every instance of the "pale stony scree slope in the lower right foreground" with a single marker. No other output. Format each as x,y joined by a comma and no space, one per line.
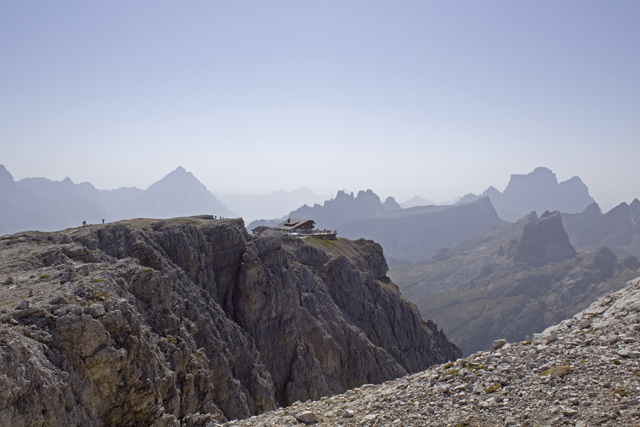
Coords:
581,372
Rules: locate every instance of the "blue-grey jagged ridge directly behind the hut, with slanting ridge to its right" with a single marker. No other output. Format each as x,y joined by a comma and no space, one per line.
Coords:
406,235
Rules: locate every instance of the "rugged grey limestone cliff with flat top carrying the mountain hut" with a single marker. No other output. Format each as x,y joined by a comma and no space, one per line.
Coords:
148,321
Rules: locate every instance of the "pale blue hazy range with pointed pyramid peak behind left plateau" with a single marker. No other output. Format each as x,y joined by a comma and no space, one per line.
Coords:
45,205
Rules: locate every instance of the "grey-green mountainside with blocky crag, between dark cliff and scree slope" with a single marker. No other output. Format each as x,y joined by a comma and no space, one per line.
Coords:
510,281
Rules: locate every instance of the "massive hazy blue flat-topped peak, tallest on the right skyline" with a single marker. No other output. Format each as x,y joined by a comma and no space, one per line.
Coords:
536,191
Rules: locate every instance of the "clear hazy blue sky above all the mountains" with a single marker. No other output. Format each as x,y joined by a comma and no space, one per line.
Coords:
404,97
